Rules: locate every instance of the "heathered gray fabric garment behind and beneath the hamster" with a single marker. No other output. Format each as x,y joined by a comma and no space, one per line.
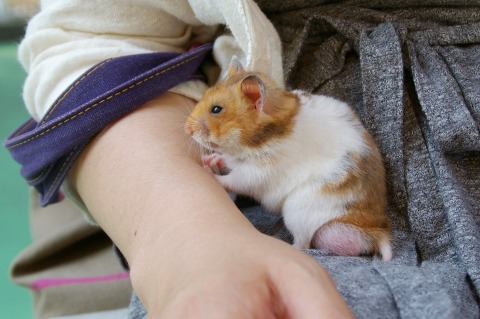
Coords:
412,72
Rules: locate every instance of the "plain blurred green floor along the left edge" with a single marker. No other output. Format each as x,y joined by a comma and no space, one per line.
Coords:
15,301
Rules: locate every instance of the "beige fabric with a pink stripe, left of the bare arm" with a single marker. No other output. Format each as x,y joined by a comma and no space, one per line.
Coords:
70,263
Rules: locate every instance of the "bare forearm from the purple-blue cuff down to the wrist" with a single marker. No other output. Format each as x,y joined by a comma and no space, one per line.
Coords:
141,182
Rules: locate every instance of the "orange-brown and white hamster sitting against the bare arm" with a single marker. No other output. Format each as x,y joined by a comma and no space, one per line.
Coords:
305,156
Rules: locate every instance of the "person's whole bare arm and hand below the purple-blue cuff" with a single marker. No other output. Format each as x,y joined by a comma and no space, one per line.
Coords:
192,253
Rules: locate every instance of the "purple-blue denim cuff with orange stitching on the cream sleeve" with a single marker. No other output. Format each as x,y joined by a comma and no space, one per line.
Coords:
111,89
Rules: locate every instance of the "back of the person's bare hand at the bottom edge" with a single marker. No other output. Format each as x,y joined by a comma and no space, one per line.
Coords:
250,277
